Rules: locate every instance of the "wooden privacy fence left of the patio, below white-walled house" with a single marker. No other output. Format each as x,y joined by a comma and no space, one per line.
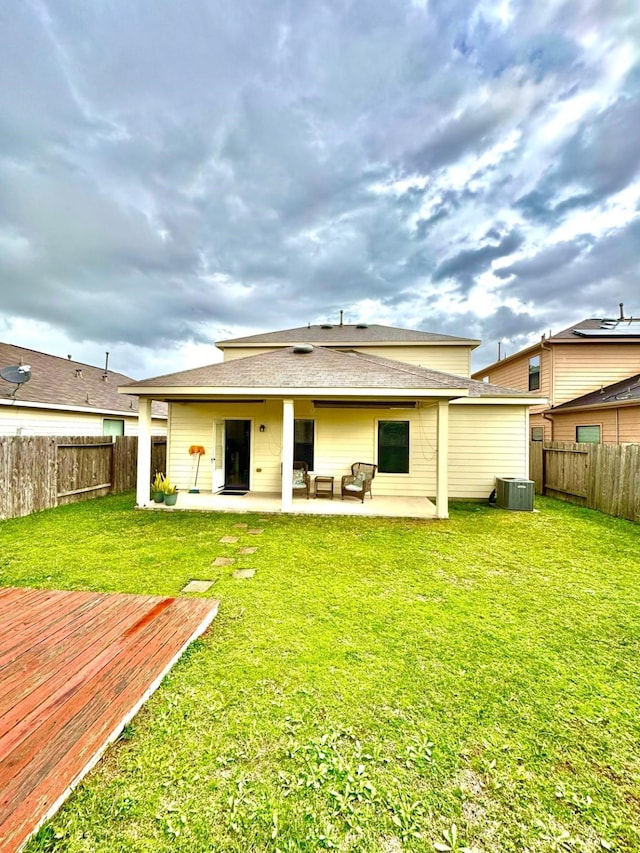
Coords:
41,472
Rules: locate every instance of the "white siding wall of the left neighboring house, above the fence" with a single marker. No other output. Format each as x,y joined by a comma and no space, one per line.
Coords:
16,420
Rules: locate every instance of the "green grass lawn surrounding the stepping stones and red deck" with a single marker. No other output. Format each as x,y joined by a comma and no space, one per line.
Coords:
379,685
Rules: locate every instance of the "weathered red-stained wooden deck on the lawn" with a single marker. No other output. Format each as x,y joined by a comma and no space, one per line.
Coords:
75,667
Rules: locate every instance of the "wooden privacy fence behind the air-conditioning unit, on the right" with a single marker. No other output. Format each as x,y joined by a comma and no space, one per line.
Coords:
605,477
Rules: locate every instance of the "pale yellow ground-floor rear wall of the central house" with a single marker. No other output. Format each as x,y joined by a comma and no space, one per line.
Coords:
485,441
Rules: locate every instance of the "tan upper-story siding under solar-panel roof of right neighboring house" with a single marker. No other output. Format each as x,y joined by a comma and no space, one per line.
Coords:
580,368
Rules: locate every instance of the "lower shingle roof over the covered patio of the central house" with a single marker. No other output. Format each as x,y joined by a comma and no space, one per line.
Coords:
318,369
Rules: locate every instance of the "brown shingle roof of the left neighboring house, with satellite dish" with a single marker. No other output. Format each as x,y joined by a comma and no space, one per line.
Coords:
60,382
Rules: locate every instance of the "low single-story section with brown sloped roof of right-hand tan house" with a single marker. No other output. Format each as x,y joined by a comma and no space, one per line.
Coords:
610,415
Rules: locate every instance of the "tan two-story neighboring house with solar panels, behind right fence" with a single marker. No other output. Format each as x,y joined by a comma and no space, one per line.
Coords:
568,365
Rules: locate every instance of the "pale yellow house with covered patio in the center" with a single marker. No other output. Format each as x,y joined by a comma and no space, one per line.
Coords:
334,395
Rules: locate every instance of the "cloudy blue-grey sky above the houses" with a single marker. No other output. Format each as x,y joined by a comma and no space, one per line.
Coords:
175,172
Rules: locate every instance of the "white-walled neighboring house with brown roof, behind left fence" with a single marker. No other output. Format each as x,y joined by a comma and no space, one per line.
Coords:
65,397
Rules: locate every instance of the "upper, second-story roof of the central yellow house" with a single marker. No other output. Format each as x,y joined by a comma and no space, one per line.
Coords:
345,335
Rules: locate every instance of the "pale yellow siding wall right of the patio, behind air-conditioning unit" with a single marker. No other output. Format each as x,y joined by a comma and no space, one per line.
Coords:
485,442
